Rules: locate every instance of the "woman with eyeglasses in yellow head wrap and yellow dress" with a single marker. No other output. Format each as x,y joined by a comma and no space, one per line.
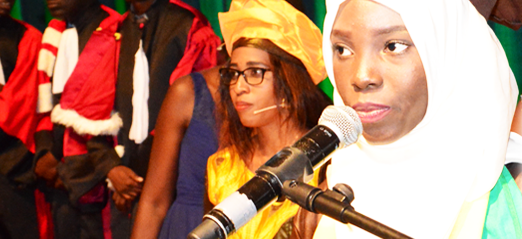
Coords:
268,99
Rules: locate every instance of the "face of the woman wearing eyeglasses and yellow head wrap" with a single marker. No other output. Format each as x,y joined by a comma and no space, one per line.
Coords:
249,98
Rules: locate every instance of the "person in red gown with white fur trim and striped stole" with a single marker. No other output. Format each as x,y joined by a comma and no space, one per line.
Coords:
74,142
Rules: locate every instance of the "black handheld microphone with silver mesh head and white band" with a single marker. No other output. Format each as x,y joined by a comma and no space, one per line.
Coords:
339,127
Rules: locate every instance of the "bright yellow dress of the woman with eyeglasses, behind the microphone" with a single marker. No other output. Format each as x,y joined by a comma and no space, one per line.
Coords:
226,173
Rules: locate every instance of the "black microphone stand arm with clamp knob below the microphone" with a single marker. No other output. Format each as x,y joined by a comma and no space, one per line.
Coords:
337,205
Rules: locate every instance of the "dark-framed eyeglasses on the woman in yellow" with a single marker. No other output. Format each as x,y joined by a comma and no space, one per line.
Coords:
252,75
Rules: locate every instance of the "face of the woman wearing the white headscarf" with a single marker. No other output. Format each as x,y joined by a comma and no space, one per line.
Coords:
378,70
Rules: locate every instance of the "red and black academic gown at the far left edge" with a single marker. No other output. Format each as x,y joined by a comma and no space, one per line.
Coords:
17,126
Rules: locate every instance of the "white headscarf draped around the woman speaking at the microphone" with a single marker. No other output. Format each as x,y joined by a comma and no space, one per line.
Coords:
418,183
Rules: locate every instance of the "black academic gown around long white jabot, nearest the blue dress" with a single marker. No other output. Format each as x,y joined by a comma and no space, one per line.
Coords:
164,38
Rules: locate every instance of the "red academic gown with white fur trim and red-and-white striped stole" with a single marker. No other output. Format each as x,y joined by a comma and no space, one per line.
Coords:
84,145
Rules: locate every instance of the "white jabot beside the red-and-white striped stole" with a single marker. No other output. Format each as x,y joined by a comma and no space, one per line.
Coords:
66,59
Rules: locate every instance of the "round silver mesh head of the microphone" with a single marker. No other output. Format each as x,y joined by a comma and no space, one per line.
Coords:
344,121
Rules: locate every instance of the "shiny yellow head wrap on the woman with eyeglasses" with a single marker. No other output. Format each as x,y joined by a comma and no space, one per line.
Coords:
282,24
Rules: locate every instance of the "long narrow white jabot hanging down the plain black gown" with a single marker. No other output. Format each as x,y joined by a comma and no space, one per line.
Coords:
140,97
